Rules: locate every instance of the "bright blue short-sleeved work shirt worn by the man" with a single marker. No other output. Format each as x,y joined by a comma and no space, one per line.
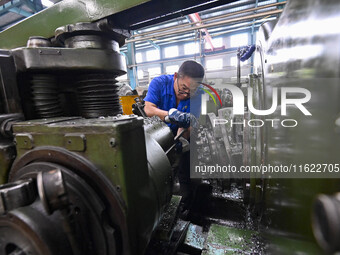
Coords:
161,93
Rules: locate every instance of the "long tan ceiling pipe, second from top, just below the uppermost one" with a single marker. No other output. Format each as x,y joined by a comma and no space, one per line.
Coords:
258,15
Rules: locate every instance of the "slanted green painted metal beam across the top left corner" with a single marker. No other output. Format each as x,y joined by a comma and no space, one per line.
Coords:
66,12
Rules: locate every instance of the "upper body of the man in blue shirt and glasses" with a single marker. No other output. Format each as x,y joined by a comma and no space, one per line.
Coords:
174,97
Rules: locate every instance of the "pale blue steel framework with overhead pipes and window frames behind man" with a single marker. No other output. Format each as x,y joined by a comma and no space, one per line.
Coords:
234,18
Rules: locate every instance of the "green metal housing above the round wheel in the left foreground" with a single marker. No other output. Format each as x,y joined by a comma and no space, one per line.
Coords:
117,147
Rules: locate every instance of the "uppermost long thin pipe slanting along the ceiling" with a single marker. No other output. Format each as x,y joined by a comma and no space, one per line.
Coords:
209,19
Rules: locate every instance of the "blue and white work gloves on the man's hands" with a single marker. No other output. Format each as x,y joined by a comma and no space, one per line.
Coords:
182,119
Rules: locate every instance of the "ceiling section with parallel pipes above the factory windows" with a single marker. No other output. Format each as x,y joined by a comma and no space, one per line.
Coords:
182,29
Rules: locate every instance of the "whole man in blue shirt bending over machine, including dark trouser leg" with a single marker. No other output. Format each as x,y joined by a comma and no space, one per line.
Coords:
176,100
